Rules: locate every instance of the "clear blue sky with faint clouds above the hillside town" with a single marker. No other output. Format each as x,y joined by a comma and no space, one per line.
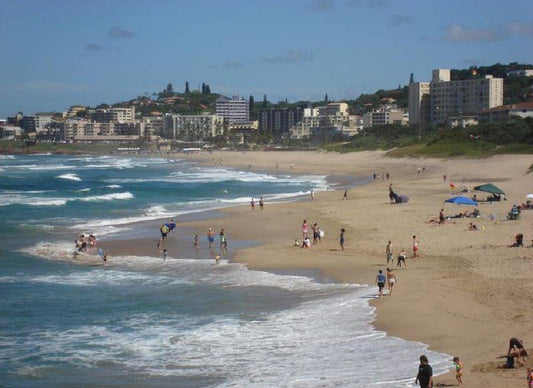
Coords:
55,54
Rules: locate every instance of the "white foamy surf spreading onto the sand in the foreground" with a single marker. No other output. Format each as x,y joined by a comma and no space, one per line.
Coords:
325,340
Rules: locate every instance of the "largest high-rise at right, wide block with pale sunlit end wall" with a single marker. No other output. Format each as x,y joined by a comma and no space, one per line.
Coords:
462,98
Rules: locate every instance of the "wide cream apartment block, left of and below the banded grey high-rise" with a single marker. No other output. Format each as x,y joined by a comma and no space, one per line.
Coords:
192,127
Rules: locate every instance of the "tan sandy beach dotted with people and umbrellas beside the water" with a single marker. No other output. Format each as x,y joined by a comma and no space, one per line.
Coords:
466,295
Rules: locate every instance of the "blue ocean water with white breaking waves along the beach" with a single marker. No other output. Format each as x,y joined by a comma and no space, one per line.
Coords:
182,322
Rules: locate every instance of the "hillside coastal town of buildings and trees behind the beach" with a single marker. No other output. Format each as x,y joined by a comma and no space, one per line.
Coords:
442,102
